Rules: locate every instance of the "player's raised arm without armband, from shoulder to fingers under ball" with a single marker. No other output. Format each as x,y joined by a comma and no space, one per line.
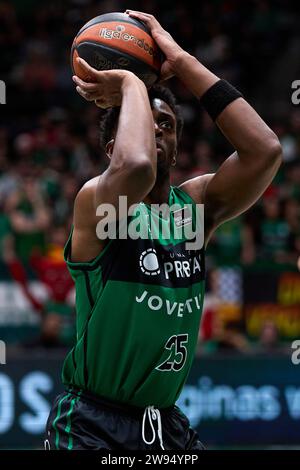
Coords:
132,152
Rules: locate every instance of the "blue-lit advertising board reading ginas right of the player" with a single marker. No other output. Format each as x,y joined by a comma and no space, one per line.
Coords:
240,401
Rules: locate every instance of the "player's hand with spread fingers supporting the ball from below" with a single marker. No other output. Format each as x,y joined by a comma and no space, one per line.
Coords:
104,87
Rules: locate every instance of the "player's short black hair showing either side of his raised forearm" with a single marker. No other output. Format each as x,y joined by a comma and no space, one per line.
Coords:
110,116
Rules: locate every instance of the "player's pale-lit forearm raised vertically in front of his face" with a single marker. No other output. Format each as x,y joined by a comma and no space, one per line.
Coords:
135,137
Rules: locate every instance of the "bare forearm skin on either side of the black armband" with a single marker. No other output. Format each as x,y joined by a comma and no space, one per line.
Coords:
239,122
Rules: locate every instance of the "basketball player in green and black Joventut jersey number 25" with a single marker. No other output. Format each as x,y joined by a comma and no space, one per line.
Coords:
139,300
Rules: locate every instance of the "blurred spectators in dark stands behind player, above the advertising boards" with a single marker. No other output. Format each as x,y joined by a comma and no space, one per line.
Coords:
49,137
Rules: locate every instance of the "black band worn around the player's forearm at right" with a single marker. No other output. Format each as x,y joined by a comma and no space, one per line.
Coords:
218,96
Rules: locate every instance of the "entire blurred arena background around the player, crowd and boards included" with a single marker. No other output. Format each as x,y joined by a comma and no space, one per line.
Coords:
244,387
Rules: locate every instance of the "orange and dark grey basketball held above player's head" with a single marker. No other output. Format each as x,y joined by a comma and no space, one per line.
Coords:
117,41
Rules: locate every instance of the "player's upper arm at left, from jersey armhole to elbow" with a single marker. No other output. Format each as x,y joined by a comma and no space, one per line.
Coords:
100,202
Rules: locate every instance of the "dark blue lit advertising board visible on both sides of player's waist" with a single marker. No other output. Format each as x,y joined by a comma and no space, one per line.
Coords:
231,400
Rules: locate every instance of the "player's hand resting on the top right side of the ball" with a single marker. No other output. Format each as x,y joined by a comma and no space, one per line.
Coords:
164,40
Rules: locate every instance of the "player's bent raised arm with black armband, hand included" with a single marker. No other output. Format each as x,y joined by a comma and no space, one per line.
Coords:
244,176
